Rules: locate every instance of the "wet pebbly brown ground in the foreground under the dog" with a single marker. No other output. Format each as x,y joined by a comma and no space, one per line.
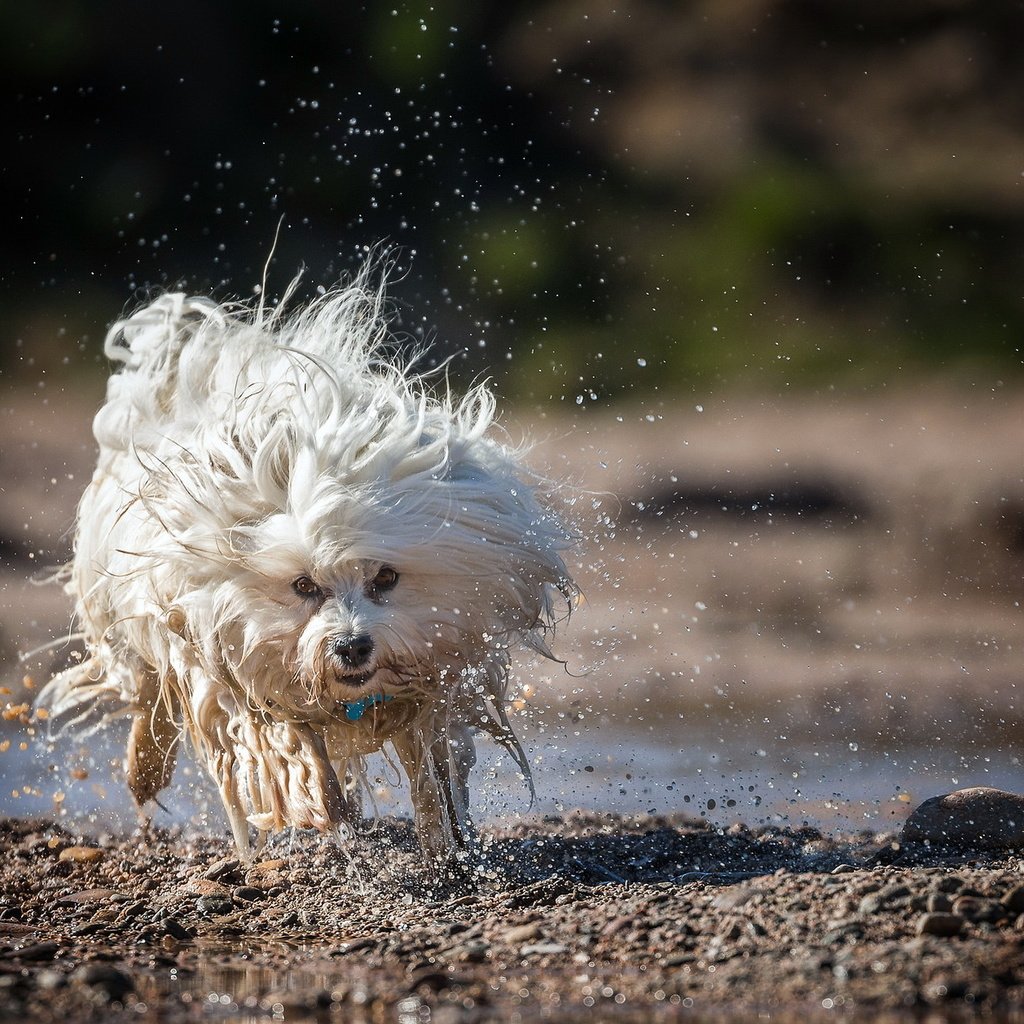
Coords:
638,919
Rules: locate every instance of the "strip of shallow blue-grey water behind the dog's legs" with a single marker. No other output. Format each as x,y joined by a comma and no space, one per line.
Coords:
738,776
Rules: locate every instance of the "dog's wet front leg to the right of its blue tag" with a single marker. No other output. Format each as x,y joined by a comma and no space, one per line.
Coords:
438,763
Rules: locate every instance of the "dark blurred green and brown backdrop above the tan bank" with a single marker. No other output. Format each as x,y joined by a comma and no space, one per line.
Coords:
621,197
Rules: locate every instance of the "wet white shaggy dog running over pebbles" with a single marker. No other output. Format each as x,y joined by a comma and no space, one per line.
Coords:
293,552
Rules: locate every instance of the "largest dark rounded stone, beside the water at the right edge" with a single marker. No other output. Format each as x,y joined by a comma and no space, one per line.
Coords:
980,817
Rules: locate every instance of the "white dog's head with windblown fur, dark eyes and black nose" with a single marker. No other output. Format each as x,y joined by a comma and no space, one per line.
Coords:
372,588
